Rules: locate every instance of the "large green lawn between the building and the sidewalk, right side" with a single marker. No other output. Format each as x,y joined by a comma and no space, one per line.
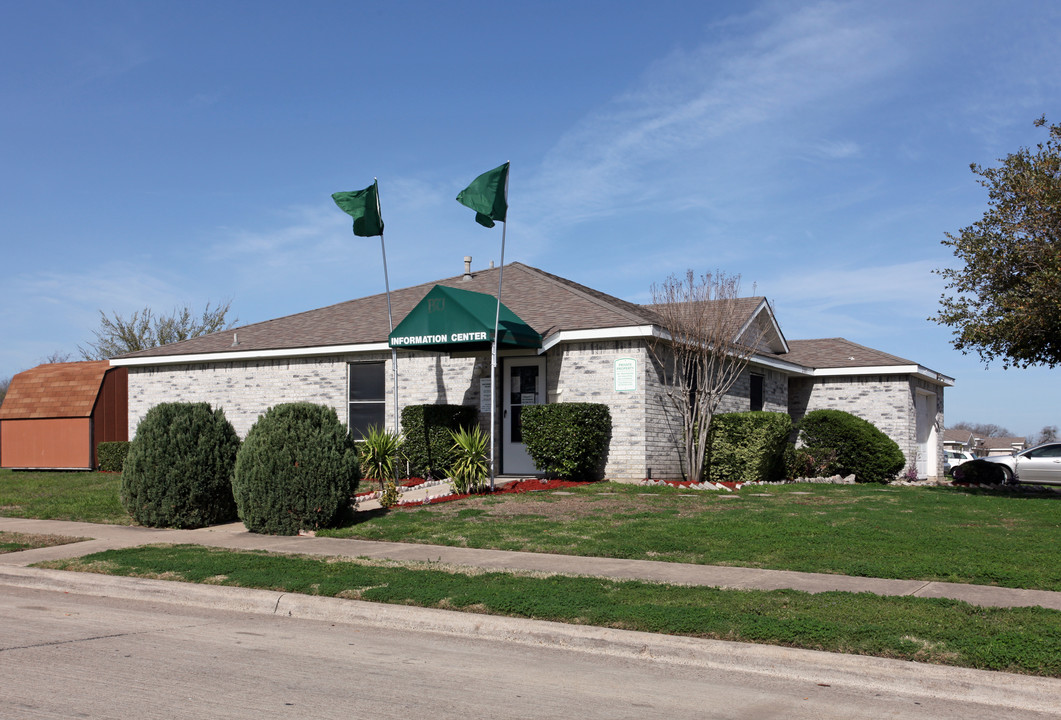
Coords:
948,534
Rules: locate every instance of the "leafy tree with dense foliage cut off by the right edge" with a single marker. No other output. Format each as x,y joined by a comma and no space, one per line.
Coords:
1005,301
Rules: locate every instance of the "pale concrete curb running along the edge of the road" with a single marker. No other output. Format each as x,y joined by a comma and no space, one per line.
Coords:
893,677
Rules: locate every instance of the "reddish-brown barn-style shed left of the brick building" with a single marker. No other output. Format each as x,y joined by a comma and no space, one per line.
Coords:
55,415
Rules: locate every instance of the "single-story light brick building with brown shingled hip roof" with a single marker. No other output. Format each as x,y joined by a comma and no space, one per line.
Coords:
562,343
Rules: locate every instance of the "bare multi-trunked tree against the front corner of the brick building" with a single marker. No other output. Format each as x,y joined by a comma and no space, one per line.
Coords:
705,346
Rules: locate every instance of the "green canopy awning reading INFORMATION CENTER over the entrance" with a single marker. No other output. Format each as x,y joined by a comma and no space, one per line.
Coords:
448,319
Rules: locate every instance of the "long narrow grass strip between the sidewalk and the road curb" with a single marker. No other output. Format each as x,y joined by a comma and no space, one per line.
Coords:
1013,640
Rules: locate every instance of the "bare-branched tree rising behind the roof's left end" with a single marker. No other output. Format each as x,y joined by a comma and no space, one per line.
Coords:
143,330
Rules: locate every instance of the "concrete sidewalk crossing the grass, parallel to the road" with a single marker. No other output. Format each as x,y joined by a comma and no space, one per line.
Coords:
236,537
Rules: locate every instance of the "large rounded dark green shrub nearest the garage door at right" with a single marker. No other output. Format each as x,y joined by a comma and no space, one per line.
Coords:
862,450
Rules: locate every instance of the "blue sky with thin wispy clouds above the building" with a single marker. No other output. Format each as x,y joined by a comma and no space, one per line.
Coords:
164,154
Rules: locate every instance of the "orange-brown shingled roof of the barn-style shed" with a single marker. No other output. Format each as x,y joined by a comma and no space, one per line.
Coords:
55,391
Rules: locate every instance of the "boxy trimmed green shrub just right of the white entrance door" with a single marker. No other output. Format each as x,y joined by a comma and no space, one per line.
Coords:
568,440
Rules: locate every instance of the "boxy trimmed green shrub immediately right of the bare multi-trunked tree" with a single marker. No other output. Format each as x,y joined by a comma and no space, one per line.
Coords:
747,447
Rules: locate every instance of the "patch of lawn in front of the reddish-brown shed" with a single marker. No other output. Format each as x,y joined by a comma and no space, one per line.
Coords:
84,497
